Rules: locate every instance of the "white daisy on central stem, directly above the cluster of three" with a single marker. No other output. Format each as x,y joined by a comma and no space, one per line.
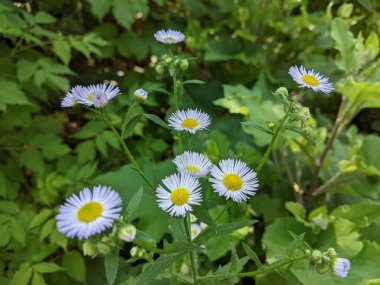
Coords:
189,120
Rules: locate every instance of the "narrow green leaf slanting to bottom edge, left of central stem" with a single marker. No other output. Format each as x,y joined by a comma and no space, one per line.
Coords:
163,262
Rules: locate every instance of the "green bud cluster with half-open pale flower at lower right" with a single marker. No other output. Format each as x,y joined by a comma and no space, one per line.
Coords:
328,260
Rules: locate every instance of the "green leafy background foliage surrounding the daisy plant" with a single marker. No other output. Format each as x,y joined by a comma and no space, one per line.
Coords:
243,50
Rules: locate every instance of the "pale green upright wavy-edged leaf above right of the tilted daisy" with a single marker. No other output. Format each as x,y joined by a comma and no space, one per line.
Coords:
344,43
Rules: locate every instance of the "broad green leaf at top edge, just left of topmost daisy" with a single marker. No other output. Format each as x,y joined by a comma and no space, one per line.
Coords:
125,11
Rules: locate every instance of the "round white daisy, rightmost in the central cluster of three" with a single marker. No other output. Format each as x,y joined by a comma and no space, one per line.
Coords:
234,179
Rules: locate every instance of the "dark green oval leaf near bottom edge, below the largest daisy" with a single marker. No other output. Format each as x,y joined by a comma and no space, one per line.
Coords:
74,265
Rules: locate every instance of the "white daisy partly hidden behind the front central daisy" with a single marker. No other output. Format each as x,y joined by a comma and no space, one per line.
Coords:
195,163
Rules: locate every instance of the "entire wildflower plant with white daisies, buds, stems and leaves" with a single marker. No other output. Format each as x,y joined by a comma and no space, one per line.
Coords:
97,216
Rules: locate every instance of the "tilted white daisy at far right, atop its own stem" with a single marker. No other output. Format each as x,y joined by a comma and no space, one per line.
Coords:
311,79
